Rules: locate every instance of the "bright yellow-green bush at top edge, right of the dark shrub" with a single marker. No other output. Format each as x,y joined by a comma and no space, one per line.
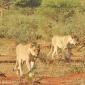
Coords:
61,3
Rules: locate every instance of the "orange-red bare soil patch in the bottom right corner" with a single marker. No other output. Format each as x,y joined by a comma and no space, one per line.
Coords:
66,80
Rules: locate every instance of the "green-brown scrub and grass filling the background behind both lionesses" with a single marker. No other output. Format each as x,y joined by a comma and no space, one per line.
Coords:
41,19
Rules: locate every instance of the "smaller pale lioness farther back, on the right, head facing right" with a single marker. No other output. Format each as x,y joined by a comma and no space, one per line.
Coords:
61,42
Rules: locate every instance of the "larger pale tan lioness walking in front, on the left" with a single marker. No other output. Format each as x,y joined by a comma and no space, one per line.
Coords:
25,53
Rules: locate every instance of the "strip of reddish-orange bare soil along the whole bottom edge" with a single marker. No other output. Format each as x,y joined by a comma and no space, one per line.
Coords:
71,79
